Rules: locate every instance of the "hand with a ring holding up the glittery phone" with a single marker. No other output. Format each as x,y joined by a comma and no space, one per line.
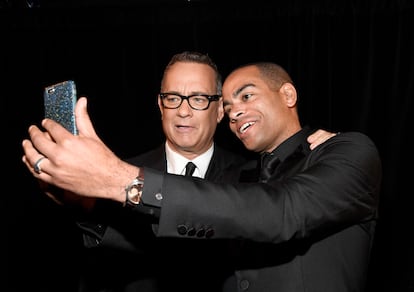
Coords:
81,164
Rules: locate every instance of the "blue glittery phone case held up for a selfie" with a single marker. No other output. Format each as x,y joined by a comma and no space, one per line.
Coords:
60,100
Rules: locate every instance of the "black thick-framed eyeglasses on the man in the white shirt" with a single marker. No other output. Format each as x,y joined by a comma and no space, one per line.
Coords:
198,102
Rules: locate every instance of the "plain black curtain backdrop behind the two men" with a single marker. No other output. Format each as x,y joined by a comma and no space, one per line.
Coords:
352,62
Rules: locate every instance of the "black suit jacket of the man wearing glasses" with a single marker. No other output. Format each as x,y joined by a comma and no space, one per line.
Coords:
125,255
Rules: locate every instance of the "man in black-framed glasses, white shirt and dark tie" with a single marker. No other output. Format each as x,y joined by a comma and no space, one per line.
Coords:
124,253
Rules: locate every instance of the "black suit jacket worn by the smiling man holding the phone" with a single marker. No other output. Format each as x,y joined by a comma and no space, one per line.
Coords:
309,228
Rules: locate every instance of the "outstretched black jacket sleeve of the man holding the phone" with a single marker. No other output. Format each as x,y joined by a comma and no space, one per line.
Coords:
336,186
